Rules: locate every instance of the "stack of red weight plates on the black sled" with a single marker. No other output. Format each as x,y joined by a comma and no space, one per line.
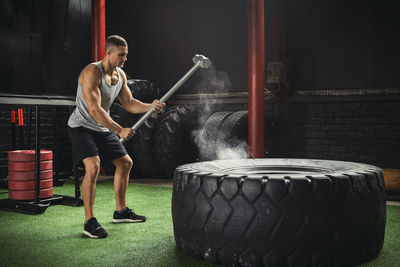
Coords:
21,174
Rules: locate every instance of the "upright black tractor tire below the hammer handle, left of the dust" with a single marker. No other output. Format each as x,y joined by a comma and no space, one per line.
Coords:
173,140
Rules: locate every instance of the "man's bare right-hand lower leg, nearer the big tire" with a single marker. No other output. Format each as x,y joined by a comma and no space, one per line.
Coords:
121,179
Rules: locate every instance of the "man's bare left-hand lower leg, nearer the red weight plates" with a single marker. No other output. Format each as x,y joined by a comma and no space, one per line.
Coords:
92,169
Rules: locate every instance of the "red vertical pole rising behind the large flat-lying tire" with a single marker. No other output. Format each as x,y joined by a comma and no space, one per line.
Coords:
256,52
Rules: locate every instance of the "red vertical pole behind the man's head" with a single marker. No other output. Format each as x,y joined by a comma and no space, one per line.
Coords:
98,29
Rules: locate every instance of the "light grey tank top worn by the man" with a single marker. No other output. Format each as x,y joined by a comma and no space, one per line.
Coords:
81,117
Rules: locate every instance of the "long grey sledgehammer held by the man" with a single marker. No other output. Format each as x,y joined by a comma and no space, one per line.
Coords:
199,61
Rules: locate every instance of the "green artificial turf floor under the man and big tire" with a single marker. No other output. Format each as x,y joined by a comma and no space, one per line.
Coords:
55,237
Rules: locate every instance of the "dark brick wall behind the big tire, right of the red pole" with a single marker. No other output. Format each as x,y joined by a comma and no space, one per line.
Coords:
349,128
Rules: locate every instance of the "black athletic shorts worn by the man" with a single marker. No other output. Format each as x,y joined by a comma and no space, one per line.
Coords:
89,143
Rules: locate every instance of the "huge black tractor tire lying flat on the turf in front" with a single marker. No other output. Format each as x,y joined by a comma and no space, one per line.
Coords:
279,212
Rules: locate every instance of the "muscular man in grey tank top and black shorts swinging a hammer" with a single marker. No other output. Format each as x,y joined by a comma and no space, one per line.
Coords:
94,133
